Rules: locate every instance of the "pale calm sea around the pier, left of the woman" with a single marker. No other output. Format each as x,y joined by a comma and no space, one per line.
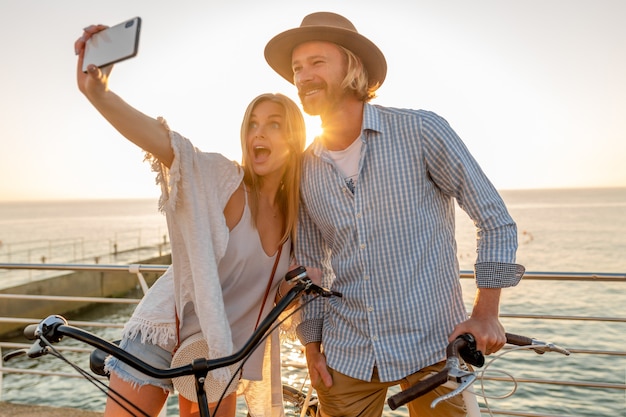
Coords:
78,232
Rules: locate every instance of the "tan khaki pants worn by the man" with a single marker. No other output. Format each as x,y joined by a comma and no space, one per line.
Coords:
349,397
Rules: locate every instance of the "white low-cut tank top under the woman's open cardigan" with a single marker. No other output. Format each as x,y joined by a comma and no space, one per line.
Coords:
244,272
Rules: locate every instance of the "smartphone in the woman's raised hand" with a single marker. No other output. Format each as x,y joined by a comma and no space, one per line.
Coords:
113,44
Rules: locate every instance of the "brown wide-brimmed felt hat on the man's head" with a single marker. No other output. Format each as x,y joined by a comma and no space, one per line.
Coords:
329,27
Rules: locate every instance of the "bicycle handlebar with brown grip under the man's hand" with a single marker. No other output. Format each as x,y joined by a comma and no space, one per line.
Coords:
464,347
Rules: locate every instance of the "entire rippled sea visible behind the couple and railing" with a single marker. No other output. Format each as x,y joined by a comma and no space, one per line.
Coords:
560,230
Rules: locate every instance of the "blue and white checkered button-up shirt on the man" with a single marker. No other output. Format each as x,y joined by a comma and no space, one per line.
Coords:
389,245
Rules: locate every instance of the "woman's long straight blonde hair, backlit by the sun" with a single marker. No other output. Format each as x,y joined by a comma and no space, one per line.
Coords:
288,196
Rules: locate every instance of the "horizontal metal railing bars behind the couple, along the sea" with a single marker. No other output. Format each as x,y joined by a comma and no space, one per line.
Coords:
571,278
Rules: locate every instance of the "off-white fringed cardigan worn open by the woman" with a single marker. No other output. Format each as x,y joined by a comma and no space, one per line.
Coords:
195,190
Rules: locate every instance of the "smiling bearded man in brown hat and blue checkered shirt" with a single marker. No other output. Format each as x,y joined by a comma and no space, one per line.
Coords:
378,191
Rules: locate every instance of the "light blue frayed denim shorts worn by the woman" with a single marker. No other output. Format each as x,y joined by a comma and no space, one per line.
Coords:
147,352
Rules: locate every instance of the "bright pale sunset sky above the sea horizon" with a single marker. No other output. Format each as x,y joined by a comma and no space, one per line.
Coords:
535,88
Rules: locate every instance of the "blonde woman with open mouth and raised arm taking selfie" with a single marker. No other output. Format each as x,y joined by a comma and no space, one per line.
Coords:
231,228
